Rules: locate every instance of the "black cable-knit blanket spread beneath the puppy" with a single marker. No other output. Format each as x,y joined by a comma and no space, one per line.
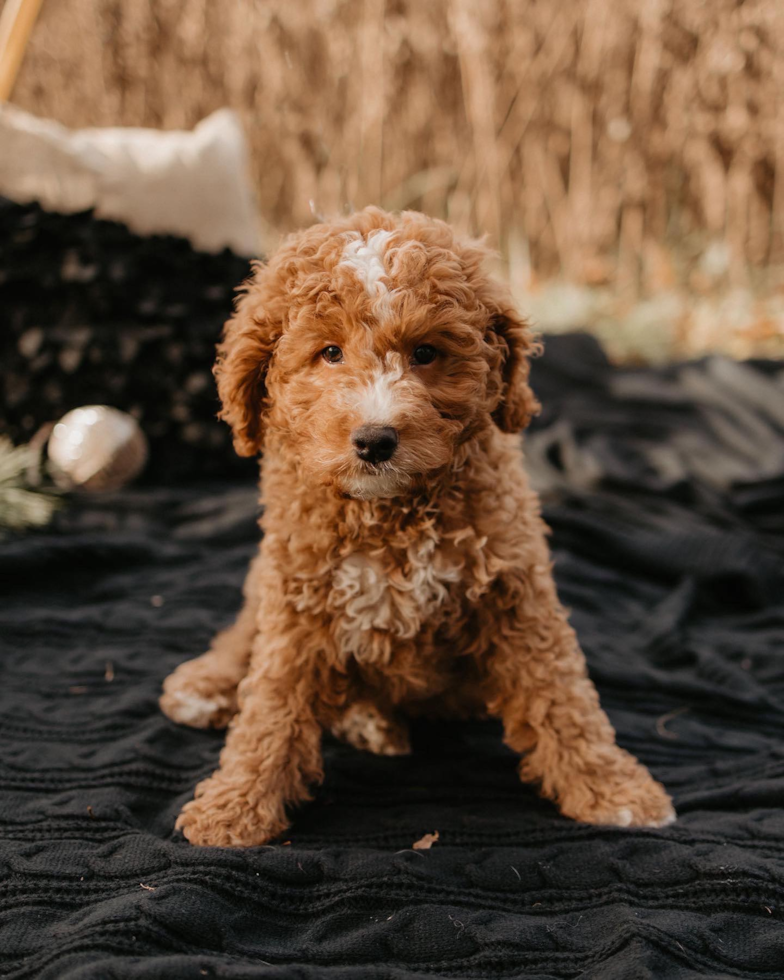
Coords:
665,492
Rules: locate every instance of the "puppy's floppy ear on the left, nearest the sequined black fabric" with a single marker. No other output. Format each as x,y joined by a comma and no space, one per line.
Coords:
244,353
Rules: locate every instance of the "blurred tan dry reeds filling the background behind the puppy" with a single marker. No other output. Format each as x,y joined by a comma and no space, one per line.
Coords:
626,157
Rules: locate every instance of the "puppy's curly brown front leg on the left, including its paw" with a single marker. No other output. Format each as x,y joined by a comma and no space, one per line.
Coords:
272,755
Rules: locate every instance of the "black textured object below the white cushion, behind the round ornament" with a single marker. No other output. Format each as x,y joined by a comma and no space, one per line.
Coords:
92,313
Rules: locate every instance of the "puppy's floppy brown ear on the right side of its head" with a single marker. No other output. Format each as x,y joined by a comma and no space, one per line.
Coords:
513,343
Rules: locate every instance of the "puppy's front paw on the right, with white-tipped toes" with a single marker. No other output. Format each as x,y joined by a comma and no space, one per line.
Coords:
623,795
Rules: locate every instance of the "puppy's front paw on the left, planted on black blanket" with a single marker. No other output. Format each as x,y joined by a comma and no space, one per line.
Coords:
224,814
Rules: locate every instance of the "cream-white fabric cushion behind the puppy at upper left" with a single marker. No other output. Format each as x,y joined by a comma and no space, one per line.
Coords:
189,183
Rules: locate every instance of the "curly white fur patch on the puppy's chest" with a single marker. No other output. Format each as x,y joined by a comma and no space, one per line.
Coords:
366,598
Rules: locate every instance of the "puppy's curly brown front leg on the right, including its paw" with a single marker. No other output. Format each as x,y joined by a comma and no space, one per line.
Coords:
551,715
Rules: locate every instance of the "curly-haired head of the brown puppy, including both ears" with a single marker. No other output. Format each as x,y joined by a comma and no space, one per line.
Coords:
372,349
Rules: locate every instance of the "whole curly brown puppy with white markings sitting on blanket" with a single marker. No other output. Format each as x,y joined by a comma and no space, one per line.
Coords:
404,567
